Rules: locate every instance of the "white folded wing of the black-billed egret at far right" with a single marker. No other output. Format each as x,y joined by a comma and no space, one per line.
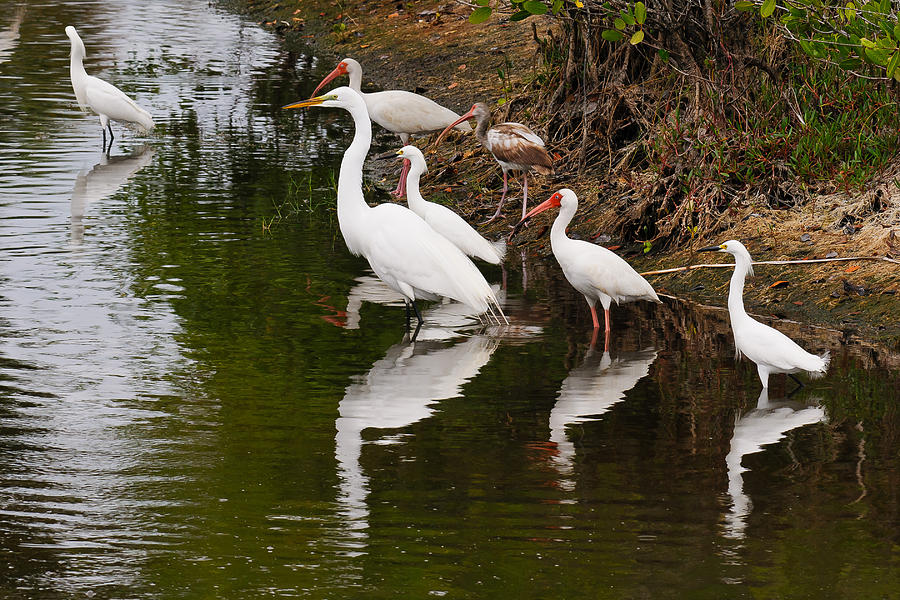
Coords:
763,344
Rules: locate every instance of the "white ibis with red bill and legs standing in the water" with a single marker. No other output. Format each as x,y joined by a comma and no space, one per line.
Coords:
598,273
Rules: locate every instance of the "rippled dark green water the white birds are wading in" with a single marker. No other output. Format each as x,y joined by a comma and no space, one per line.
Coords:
200,401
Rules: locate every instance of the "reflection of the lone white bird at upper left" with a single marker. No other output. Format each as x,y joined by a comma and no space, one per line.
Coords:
102,181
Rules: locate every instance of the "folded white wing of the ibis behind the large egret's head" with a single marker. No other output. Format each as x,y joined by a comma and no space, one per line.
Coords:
404,112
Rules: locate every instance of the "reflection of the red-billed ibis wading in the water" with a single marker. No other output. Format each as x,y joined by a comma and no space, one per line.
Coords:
591,389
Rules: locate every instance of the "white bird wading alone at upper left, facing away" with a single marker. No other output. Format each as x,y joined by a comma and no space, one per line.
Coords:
105,99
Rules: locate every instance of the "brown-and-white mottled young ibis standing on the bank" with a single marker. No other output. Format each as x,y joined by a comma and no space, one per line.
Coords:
513,145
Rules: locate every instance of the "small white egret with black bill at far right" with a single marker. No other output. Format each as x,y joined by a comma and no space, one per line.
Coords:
771,350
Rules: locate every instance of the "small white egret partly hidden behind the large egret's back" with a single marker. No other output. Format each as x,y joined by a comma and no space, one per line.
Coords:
442,219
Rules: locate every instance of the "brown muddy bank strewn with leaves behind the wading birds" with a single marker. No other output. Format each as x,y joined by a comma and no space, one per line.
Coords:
429,47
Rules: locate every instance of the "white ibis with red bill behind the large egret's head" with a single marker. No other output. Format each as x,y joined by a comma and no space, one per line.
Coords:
398,111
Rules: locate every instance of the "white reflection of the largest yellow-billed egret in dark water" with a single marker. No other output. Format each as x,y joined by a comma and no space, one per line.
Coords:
399,390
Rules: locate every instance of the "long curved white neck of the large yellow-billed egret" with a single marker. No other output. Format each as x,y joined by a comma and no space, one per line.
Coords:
351,203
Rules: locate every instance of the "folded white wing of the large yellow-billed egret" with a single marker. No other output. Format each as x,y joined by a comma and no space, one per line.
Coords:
403,249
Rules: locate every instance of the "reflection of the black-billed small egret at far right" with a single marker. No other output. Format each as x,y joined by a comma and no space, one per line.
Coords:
763,425
